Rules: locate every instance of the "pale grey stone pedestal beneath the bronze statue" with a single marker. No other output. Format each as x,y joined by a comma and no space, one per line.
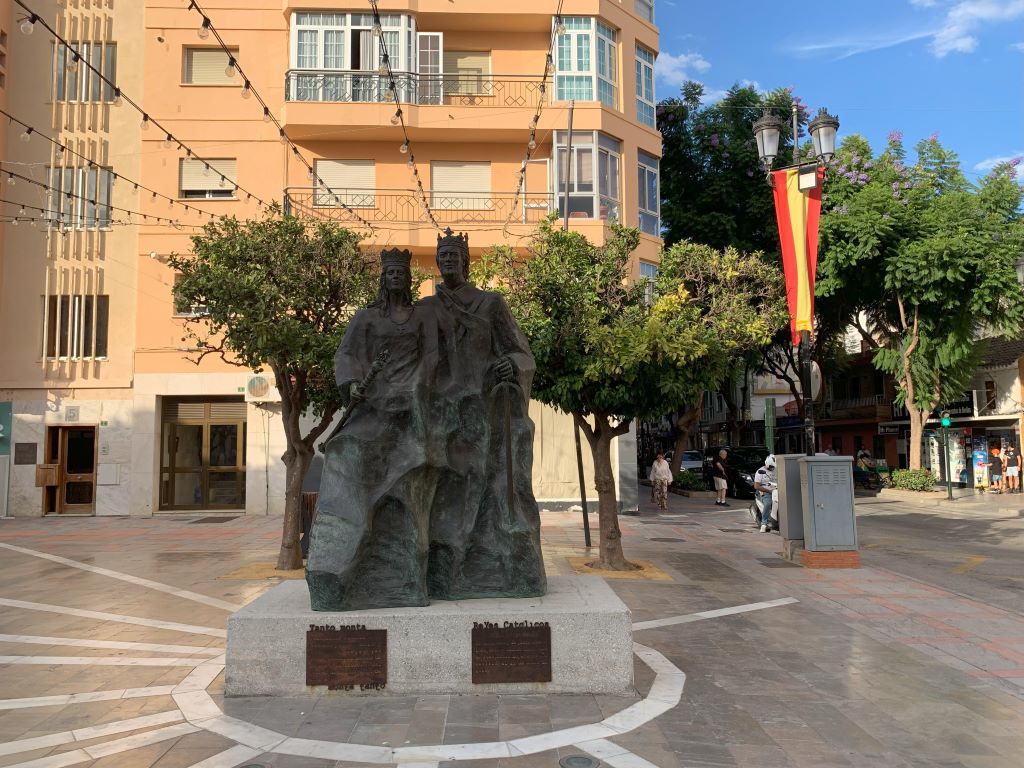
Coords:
430,650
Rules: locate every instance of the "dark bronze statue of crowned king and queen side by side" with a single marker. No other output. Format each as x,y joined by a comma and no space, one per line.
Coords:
428,491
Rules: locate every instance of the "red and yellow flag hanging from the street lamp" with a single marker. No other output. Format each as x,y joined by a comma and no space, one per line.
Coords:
798,215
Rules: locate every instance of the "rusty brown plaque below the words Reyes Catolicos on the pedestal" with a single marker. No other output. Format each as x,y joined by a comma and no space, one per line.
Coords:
513,653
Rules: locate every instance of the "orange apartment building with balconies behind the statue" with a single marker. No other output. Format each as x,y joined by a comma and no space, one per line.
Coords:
106,413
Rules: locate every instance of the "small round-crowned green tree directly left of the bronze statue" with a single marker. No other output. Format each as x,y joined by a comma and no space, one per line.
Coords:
279,292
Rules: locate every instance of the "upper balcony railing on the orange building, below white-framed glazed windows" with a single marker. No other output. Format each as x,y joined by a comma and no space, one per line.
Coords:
349,87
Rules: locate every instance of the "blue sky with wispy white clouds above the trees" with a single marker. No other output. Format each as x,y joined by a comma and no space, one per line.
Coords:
950,67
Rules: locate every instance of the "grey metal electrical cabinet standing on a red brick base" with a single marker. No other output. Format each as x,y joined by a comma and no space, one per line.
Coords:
827,488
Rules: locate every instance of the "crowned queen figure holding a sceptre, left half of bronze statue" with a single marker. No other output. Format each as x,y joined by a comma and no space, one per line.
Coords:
370,540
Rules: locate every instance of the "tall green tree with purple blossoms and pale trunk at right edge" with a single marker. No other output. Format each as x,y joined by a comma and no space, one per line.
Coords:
929,259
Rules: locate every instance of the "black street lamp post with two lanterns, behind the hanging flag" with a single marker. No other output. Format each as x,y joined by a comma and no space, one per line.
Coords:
767,132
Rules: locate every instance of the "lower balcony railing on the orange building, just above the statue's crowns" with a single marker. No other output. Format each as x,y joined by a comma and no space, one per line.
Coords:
401,206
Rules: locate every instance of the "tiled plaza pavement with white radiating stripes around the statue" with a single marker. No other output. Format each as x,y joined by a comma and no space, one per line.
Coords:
868,669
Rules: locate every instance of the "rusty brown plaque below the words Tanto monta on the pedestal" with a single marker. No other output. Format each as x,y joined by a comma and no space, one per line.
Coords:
347,658
